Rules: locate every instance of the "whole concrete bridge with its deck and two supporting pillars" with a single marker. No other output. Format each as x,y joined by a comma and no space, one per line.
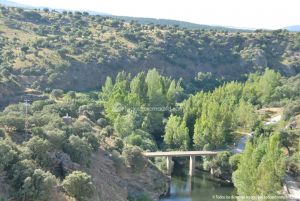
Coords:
191,154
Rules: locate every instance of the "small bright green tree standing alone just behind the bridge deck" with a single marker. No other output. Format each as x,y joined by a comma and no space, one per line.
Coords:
176,134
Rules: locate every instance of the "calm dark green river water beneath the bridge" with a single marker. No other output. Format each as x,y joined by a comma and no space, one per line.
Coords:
201,187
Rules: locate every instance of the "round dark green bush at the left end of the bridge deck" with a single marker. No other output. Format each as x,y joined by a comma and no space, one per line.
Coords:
134,158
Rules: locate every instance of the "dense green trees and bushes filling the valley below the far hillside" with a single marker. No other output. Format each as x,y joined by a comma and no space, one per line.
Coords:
150,112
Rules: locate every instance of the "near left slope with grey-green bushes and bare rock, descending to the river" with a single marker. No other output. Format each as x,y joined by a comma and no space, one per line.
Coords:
58,147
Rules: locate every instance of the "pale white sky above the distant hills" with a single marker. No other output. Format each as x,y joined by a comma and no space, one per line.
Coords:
268,14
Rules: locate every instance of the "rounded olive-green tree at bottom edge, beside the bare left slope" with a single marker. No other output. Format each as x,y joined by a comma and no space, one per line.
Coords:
79,185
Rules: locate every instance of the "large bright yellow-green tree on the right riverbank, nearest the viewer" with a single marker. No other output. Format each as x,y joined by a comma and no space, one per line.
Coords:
260,169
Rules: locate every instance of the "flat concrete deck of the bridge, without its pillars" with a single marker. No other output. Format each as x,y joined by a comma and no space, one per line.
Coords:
181,153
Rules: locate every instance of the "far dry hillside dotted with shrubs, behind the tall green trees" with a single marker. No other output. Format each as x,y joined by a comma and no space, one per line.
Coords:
75,51
